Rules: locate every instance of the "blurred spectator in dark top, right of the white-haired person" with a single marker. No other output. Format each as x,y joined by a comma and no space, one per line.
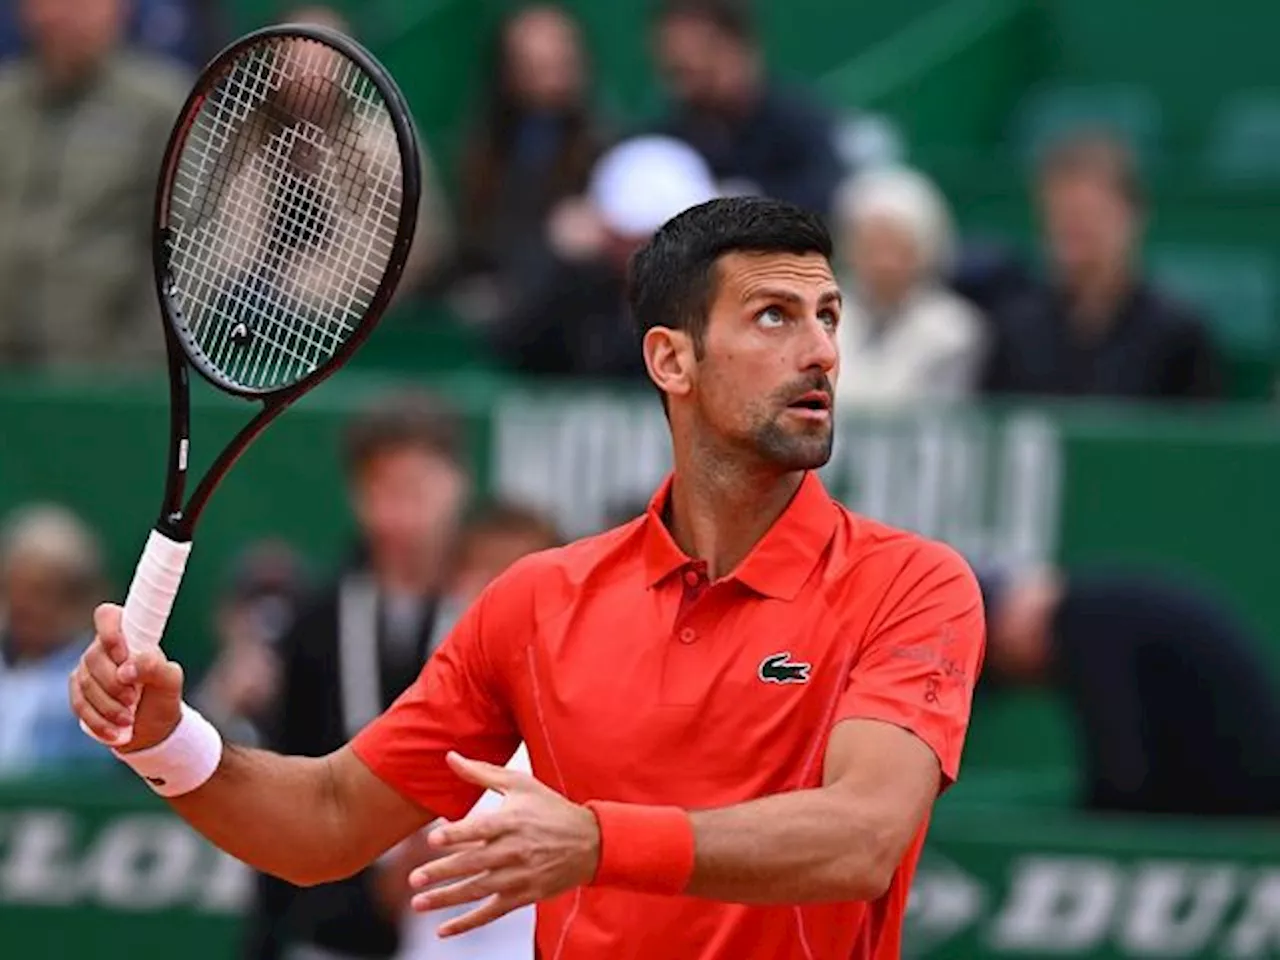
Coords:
1099,328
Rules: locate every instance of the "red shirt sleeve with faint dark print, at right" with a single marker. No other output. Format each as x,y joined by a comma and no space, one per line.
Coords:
921,657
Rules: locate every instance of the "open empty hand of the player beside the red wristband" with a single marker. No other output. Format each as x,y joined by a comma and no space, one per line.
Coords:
536,847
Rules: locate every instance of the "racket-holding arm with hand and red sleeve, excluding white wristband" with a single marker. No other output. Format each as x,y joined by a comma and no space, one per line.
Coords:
312,820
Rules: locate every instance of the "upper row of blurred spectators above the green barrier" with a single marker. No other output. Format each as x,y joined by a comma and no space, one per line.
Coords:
554,196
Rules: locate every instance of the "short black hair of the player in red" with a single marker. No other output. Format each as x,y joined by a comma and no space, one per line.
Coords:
673,278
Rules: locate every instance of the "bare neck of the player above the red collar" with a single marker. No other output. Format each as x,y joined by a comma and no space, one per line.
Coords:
720,511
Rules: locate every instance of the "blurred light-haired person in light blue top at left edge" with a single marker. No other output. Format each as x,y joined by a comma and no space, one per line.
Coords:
49,577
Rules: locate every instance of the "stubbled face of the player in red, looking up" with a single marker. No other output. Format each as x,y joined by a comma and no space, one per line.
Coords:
767,376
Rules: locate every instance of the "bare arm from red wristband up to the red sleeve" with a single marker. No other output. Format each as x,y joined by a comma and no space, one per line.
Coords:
842,842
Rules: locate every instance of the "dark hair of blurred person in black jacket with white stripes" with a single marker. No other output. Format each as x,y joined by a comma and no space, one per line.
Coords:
405,420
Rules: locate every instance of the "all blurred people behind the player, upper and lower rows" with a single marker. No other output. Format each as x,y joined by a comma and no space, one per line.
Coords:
531,252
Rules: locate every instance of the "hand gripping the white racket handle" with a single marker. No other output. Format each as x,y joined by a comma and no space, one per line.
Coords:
113,688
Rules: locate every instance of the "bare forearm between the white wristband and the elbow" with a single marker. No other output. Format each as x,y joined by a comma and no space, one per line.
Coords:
280,815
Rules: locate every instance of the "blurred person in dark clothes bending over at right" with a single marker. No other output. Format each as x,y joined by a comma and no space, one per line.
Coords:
1176,708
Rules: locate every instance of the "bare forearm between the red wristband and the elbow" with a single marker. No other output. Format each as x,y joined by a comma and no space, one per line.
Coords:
811,845
